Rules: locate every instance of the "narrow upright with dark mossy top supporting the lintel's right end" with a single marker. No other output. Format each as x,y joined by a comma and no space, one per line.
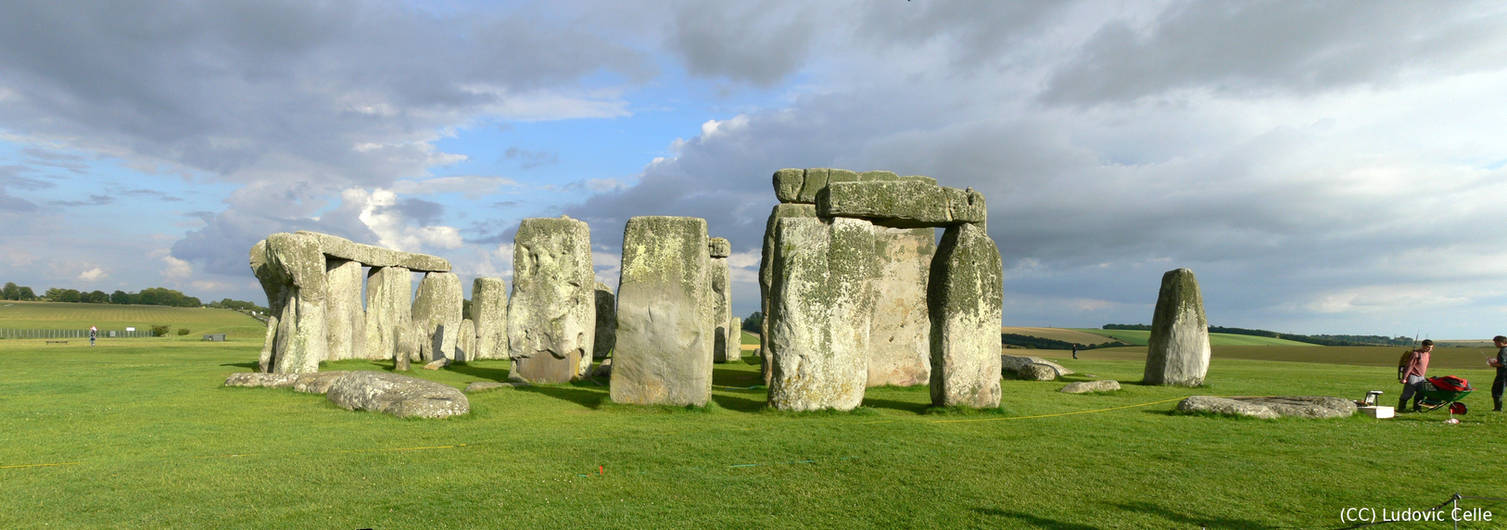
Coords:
965,300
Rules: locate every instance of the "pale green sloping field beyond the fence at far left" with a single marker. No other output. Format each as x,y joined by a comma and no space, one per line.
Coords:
41,315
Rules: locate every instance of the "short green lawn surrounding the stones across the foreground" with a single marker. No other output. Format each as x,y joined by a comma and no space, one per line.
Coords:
144,434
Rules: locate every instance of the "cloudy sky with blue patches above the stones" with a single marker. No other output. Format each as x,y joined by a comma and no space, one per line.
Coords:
1322,168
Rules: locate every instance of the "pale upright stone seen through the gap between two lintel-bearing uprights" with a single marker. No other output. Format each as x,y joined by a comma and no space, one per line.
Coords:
900,335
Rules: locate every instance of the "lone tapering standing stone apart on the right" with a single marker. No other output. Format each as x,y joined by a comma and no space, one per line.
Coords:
1178,353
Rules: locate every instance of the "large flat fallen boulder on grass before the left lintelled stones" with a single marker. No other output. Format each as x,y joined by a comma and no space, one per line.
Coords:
397,395
